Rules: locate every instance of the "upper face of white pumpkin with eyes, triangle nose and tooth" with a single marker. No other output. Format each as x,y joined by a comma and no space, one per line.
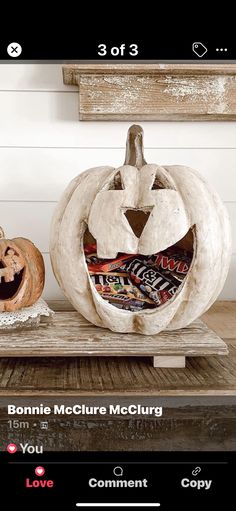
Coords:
132,216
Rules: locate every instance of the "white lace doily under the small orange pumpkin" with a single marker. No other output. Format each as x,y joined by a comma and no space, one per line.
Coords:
27,315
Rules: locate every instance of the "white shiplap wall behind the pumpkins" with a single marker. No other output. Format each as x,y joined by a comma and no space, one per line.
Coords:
43,146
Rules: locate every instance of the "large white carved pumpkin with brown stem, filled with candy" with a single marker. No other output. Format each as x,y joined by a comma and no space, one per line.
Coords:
110,204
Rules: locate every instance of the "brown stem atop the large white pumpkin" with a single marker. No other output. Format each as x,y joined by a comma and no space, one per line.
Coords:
134,147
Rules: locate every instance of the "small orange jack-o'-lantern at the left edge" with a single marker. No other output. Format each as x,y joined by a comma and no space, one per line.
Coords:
21,273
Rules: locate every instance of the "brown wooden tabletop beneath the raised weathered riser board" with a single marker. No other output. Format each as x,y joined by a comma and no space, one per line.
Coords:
211,376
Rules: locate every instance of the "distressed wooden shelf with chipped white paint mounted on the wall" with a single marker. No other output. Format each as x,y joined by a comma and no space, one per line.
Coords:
154,91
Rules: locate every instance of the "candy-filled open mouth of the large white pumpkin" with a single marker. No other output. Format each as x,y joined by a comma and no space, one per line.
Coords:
136,282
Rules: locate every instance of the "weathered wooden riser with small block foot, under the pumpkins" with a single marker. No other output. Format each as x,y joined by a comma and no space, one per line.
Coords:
69,335
